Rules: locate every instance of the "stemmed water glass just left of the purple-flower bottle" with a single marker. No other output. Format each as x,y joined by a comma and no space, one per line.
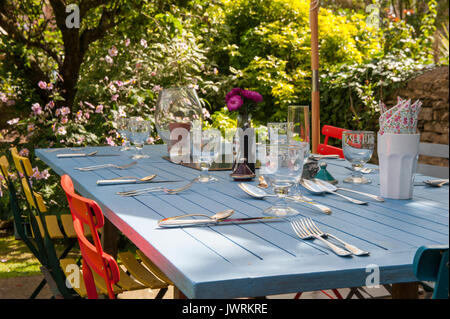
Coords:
206,149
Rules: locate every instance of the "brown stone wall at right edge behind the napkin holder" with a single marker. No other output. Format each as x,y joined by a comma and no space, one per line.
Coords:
432,89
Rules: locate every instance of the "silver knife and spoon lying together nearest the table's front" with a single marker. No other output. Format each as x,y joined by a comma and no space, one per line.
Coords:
220,218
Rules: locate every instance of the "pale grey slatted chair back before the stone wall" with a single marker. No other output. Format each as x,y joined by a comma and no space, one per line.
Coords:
433,150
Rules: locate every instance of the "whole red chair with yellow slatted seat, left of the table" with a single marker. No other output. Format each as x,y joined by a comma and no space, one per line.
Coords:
97,264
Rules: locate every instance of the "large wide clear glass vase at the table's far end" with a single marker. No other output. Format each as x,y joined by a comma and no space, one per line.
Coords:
177,107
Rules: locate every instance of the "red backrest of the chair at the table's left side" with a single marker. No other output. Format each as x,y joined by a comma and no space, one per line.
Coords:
86,212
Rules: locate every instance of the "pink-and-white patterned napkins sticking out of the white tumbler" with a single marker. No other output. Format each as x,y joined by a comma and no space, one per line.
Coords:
401,118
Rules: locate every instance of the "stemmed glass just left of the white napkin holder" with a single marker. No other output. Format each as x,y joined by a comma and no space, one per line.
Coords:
358,148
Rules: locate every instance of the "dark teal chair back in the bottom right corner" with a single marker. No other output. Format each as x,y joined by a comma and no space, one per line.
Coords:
431,264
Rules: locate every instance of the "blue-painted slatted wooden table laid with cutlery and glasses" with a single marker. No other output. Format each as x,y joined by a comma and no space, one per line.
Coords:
263,258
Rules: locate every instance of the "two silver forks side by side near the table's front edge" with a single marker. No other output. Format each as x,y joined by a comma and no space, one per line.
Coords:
305,228
